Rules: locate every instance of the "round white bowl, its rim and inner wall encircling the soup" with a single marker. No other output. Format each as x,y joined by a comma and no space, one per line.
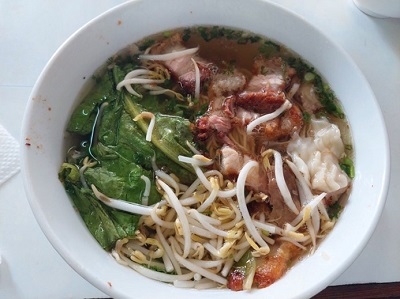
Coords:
55,95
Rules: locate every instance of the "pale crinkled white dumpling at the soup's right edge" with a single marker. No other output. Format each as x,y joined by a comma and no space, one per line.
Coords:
317,156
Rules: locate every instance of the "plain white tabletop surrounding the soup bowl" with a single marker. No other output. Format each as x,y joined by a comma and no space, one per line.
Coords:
31,31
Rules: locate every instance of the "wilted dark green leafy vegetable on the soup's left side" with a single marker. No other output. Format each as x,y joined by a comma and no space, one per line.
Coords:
122,154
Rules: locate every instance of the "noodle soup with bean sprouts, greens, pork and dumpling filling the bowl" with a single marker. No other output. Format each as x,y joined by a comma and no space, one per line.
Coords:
209,157
